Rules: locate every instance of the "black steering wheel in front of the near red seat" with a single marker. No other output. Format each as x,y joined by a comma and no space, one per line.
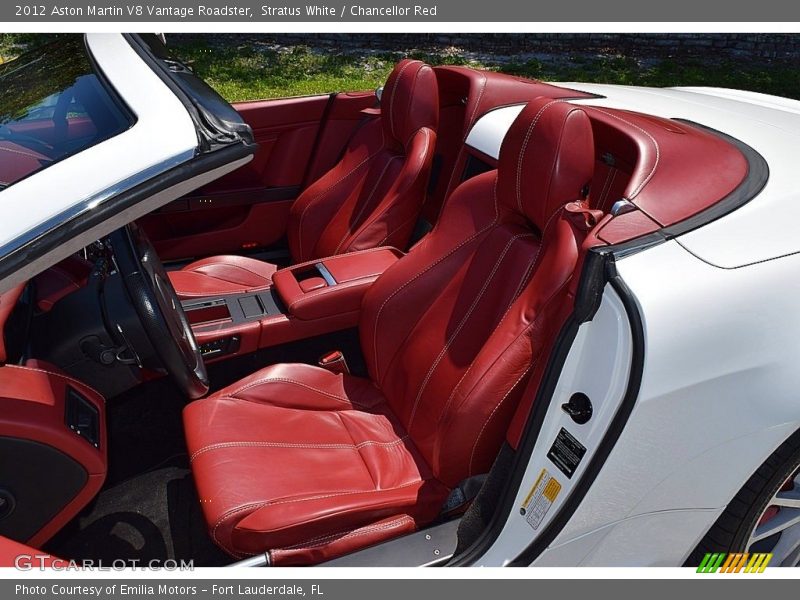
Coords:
159,309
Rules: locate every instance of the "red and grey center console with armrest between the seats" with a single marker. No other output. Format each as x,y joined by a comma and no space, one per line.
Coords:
305,300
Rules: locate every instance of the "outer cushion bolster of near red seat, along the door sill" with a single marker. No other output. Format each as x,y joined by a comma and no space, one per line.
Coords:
300,521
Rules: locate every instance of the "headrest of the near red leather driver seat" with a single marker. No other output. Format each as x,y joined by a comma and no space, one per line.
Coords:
546,160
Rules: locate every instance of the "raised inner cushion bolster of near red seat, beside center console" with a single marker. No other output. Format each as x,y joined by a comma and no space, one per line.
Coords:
305,387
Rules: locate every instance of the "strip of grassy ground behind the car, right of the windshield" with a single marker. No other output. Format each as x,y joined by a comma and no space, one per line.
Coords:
252,72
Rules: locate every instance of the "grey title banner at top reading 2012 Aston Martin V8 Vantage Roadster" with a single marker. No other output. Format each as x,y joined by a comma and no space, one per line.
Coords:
415,11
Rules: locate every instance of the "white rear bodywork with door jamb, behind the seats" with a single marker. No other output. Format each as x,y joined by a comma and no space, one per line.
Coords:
730,288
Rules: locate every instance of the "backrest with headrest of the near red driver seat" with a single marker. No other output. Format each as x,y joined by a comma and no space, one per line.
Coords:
451,331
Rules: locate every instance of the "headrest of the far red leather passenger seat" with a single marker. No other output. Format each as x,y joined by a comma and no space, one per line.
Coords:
410,101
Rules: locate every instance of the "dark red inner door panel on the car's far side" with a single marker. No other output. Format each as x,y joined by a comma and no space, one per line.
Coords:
247,210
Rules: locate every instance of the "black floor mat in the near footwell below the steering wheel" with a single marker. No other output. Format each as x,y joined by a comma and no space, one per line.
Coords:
153,517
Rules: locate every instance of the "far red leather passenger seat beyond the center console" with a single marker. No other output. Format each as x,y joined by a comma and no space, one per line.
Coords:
372,197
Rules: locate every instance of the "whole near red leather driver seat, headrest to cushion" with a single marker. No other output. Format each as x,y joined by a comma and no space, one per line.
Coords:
305,464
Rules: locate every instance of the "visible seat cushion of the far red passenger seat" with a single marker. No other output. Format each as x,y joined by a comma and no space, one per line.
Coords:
220,275
